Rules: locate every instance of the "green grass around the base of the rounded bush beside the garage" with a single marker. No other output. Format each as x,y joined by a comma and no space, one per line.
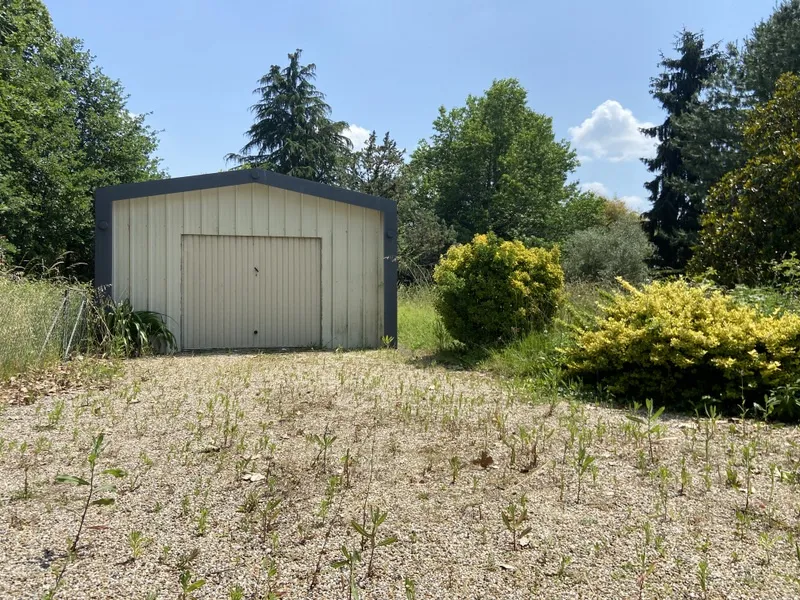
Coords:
533,355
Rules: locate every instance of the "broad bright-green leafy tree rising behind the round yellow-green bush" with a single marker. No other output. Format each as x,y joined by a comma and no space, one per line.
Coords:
495,165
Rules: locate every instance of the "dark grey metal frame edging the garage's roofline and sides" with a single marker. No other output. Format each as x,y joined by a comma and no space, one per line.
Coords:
105,197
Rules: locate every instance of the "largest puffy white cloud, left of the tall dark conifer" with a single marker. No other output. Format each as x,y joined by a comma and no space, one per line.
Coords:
612,133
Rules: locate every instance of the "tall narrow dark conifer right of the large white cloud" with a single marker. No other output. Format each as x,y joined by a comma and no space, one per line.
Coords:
673,221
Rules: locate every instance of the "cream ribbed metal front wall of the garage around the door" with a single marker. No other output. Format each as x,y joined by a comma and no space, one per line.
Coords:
147,250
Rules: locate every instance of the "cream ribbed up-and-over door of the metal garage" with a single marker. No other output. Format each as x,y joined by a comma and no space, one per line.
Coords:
250,292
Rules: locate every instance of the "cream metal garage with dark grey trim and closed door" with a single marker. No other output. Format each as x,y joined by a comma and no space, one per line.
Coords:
252,259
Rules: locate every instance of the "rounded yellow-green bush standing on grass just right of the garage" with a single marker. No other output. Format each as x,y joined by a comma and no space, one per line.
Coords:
491,290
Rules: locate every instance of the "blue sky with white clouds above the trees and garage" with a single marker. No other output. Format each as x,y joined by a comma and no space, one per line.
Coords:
390,65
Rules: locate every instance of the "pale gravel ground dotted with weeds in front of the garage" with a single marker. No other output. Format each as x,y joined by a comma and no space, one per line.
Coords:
211,443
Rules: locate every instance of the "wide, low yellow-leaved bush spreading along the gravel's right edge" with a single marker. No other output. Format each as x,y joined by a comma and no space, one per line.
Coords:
680,344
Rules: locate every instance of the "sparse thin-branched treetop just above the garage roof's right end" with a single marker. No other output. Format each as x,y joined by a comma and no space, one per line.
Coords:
376,169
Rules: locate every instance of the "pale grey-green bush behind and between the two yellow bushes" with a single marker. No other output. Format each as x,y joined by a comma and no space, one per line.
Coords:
602,253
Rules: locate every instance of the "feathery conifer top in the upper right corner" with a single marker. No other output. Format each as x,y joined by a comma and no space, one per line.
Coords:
772,49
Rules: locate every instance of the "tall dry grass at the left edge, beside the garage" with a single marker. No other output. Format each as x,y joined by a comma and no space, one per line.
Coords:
27,309
